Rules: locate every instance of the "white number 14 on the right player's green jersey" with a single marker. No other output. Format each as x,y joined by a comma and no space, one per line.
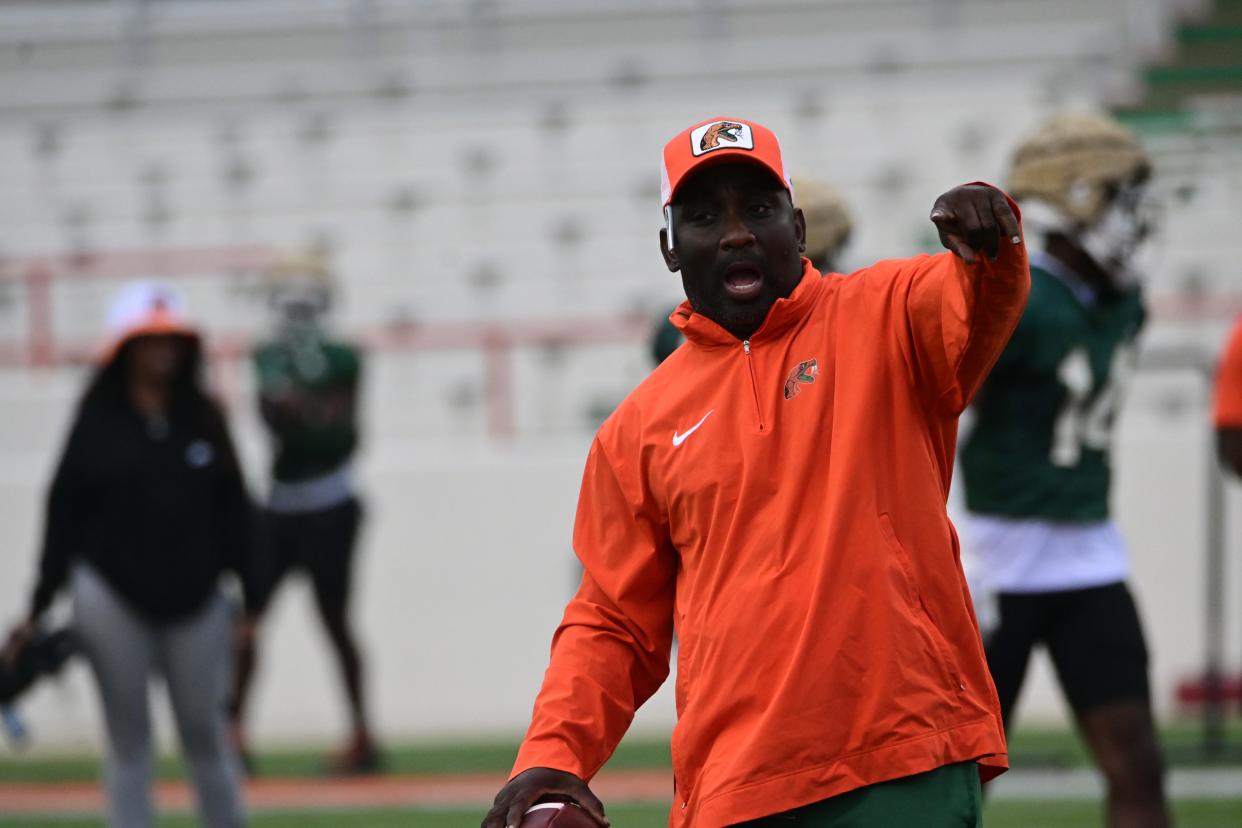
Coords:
1086,419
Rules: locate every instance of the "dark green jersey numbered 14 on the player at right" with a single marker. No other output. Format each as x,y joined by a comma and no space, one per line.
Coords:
1044,420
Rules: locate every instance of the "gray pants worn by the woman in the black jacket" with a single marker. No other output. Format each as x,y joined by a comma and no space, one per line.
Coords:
196,659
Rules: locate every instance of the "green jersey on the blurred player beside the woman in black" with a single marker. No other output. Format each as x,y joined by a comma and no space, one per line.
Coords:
309,397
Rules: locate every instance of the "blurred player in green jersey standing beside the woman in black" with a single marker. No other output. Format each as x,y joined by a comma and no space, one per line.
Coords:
309,400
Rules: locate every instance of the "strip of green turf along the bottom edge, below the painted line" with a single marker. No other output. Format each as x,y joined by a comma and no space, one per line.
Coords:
1002,815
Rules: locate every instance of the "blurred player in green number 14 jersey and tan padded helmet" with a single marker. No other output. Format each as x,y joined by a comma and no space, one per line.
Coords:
1036,465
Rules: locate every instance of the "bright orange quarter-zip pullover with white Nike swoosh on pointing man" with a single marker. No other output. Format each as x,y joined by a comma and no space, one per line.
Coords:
781,503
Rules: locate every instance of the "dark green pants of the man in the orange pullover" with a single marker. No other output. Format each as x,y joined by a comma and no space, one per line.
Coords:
947,798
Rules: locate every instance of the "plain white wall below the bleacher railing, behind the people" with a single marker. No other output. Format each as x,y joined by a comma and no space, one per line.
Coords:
466,565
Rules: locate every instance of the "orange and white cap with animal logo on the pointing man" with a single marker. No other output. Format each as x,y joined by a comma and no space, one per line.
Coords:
716,141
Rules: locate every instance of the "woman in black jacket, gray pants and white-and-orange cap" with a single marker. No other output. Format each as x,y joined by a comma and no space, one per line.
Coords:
147,511
